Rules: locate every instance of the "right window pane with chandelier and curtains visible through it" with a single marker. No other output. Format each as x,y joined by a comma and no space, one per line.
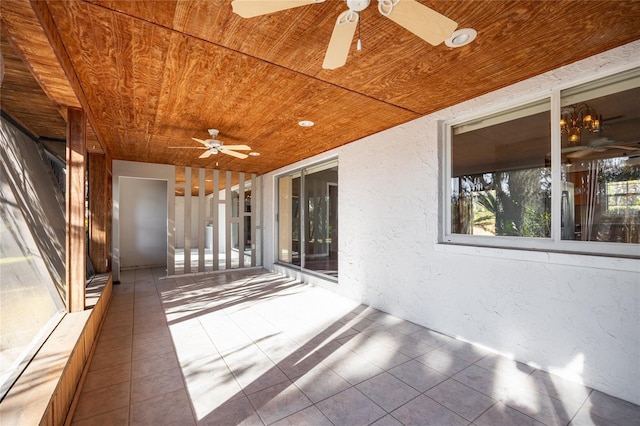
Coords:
601,159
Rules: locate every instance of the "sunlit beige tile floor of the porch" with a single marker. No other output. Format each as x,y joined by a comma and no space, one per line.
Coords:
255,348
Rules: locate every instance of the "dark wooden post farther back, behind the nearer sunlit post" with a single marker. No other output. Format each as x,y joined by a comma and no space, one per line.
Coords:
98,212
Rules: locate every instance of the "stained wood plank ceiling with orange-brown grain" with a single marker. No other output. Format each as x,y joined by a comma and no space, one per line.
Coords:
153,74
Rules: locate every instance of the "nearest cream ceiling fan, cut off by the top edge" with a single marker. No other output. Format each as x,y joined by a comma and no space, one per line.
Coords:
422,21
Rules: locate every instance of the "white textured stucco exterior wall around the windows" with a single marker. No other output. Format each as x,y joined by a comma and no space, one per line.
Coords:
569,314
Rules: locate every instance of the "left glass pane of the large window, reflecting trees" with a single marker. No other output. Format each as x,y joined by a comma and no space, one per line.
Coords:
501,175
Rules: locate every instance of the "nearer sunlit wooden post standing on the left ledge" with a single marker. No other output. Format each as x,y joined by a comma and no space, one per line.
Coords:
75,197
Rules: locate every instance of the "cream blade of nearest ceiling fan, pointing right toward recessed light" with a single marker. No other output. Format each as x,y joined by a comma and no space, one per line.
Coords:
424,22
